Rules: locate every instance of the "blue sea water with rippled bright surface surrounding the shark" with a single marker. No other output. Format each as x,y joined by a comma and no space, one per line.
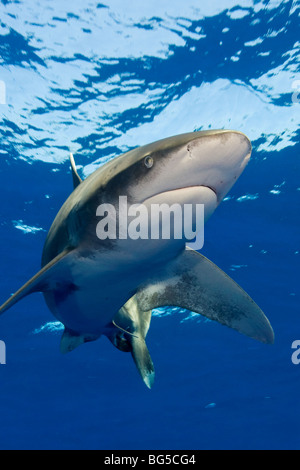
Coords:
99,79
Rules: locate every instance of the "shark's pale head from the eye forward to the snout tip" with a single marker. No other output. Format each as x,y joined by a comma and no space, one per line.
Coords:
198,167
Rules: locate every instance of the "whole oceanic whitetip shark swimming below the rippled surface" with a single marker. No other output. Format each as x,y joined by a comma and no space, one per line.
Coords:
109,287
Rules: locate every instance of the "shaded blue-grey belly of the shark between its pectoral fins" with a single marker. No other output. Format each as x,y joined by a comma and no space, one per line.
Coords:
96,287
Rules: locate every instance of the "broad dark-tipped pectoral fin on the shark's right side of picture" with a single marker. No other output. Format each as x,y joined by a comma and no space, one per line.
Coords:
195,283
